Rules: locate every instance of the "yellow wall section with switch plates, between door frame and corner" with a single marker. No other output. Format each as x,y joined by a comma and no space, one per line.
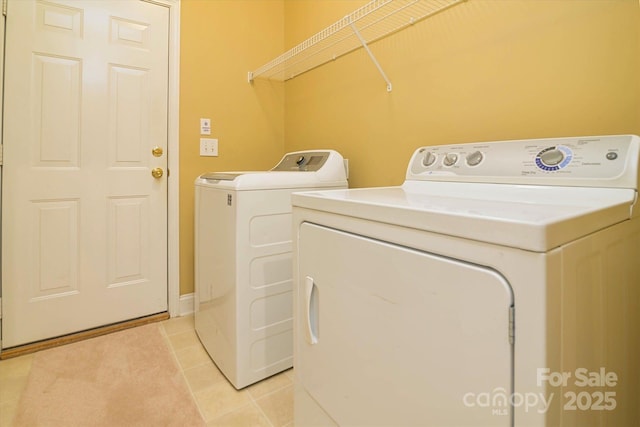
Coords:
221,40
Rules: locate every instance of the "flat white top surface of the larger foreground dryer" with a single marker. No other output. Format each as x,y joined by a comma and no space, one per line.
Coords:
535,218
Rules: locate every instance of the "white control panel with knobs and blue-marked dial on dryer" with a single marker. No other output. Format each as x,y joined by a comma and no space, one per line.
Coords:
602,161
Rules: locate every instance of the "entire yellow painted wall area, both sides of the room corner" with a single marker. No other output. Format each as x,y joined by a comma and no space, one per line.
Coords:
483,70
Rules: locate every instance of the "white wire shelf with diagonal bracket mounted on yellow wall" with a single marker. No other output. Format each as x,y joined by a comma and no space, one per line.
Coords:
371,22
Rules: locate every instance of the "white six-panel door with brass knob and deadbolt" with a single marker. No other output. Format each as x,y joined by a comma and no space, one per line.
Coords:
84,222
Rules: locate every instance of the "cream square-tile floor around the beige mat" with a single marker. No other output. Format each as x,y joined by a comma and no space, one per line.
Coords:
268,403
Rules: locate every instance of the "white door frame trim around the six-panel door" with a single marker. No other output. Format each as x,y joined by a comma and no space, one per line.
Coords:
173,199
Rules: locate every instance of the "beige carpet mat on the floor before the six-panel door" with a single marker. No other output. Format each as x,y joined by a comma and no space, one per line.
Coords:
128,378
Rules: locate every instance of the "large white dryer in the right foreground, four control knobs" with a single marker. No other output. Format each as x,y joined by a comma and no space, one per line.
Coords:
498,286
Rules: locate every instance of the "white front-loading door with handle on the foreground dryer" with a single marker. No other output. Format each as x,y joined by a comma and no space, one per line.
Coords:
391,336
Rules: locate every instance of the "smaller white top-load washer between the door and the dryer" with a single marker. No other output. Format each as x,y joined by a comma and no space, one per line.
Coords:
243,295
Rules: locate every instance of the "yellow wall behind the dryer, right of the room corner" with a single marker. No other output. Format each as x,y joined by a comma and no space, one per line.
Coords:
483,70
